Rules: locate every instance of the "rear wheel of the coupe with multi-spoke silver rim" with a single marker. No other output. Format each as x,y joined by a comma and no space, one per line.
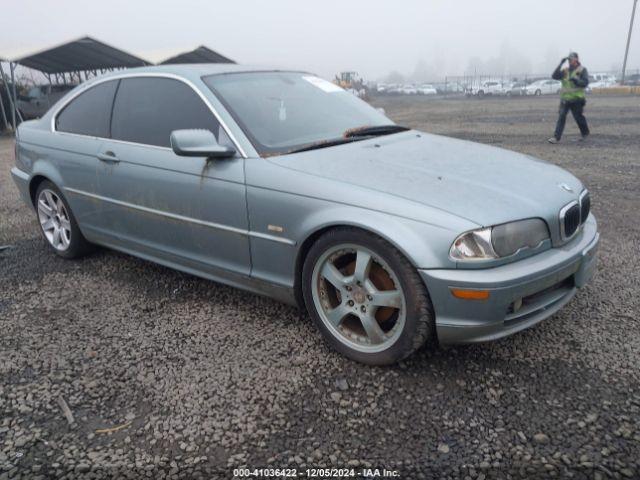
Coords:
54,214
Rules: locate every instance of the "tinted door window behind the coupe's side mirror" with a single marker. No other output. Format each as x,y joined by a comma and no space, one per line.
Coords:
147,110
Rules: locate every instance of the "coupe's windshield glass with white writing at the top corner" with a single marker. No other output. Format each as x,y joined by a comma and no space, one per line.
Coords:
282,112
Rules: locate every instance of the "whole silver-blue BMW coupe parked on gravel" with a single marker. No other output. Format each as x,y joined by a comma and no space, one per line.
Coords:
283,184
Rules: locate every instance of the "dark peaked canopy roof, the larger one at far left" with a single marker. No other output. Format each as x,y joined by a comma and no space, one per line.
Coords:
84,54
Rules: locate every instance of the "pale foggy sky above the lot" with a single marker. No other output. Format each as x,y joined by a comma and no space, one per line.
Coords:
421,37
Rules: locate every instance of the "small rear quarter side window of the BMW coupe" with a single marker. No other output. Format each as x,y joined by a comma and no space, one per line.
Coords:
89,112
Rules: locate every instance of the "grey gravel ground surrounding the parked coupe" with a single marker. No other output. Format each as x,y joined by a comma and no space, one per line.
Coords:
196,378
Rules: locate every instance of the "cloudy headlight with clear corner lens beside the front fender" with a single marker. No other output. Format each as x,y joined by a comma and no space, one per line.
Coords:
499,241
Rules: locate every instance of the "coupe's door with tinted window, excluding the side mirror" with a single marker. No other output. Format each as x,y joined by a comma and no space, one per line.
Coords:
185,211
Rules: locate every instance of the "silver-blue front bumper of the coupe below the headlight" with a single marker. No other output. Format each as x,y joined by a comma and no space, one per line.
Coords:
521,294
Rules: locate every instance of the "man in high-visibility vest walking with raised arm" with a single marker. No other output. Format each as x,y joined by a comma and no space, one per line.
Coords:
572,95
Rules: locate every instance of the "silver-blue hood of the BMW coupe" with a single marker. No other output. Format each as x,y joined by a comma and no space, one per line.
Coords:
480,183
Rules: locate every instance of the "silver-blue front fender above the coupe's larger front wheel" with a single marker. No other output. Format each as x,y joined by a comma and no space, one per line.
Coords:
298,220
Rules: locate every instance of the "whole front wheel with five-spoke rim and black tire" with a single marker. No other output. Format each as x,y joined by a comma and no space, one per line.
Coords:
377,318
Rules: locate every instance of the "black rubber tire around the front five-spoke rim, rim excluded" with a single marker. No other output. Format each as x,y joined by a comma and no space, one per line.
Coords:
405,342
